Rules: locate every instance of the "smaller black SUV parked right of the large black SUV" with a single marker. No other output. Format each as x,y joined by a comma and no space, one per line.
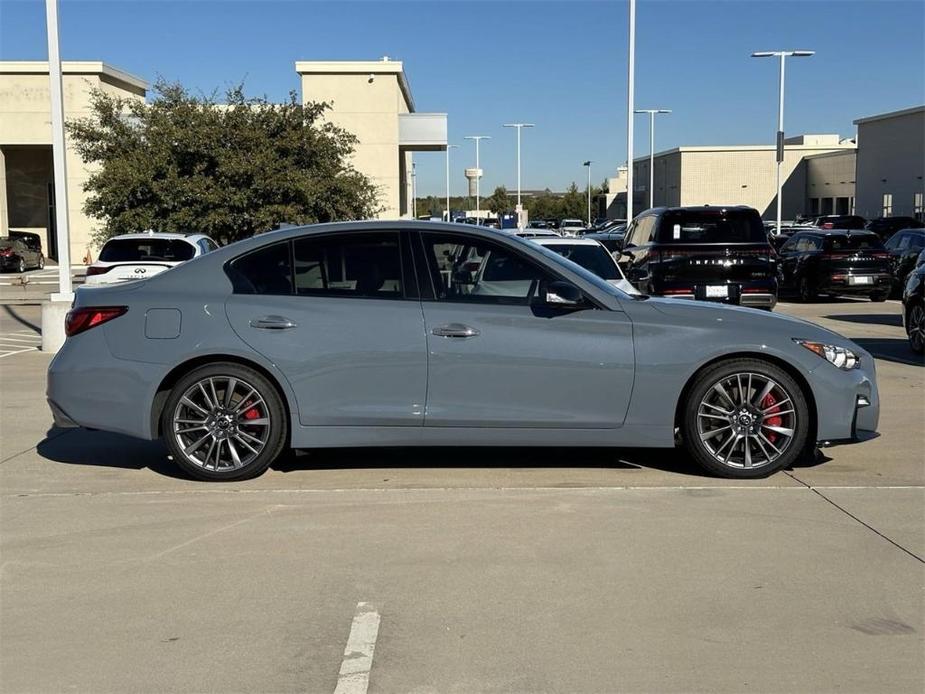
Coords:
835,261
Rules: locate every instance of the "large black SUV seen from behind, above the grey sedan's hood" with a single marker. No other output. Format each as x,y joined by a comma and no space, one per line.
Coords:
711,253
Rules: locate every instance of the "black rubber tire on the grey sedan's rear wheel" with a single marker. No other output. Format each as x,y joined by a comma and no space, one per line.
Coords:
271,406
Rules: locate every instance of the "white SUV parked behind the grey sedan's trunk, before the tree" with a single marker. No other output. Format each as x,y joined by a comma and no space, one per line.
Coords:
138,256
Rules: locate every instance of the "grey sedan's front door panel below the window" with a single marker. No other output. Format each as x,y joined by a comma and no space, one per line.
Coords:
520,369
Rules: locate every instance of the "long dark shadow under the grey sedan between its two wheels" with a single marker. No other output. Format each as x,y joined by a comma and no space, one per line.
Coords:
669,460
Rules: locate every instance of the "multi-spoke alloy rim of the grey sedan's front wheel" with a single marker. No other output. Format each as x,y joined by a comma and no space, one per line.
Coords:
746,420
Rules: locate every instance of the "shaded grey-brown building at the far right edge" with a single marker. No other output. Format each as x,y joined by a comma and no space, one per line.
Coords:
891,164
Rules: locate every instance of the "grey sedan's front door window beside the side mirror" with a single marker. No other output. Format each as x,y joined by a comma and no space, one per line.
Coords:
475,270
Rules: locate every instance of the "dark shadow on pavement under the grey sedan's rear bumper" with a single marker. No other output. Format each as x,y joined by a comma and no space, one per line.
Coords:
103,449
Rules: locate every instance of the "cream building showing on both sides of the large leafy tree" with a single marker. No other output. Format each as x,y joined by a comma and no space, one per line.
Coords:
370,99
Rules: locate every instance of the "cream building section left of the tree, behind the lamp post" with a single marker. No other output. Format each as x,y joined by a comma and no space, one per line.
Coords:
25,131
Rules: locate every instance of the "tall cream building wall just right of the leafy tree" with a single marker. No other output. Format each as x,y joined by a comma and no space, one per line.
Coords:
366,99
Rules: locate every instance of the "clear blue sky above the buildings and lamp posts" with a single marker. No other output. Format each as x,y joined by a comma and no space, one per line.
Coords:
561,65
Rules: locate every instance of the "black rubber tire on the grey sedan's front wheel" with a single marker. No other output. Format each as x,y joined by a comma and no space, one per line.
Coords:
798,421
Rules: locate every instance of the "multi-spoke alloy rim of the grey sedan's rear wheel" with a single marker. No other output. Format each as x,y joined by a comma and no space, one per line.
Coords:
221,423
